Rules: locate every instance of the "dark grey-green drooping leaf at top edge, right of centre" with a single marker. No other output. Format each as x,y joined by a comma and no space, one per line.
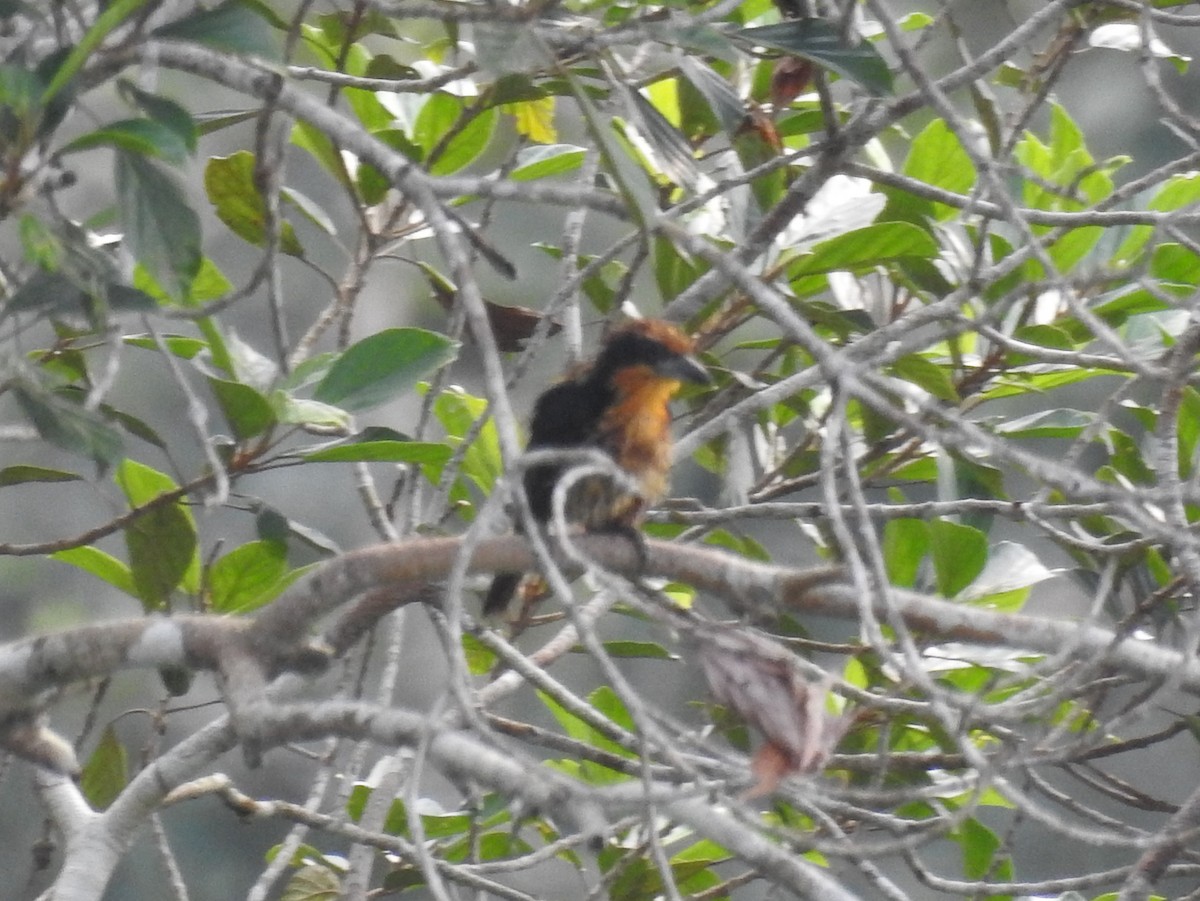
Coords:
819,41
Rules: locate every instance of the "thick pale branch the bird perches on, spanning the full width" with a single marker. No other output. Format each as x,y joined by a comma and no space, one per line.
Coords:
394,574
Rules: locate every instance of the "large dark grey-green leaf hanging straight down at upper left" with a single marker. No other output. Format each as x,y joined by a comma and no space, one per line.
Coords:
163,230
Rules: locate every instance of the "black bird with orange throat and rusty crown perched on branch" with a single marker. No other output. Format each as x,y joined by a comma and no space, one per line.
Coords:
619,404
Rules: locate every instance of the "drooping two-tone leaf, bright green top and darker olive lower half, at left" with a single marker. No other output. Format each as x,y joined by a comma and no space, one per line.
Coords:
161,542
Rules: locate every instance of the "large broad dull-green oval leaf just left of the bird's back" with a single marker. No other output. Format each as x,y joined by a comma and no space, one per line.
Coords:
383,367
